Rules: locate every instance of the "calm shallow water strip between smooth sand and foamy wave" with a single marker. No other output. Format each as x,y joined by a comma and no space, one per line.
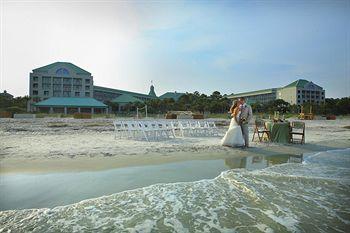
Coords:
21,191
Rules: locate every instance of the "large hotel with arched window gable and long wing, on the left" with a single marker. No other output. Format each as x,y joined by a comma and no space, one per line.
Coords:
63,87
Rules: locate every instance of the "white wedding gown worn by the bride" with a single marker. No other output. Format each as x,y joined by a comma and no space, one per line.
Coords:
233,136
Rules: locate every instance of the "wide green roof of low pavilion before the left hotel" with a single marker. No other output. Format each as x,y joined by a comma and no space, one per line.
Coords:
70,102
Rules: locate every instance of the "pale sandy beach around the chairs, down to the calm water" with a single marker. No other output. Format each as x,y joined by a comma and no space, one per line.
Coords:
50,145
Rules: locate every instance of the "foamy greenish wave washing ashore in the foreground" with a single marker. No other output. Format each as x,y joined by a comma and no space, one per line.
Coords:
309,197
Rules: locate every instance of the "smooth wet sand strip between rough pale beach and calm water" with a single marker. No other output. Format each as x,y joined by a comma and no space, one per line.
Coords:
11,166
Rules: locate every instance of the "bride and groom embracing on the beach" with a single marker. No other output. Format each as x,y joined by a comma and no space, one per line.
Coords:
238,133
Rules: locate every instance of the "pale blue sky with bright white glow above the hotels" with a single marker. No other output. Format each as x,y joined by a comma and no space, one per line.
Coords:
184,46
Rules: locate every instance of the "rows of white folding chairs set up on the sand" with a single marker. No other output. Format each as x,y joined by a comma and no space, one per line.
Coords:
158,129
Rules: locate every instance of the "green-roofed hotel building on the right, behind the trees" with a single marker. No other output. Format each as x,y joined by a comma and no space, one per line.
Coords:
299,92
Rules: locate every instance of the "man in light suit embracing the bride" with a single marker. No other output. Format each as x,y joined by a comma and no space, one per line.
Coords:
245,117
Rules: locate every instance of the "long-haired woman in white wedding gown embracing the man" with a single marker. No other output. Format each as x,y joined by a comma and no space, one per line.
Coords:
233,136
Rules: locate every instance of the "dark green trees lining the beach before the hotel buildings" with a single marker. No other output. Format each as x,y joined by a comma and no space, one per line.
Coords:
202,103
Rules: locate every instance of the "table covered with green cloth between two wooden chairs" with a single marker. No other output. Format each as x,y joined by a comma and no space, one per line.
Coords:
279,131
